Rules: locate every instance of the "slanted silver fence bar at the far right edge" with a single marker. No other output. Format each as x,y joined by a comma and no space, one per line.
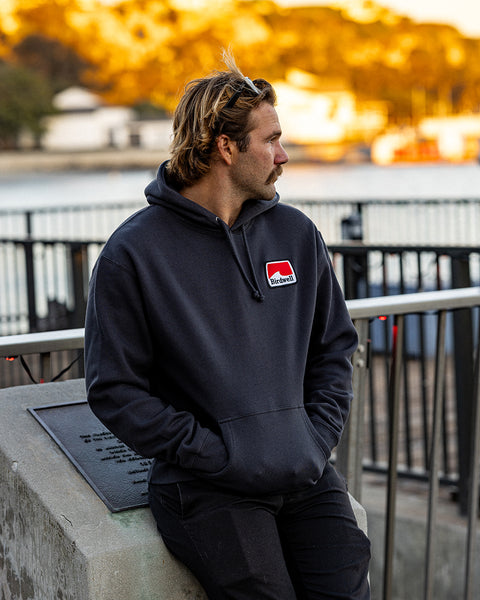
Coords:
474,481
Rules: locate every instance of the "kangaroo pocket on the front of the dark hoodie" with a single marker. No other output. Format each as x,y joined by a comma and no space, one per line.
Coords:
271,452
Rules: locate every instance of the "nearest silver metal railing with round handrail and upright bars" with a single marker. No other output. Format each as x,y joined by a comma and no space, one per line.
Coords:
351,455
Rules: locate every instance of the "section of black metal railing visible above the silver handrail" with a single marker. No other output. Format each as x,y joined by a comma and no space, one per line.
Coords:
43,282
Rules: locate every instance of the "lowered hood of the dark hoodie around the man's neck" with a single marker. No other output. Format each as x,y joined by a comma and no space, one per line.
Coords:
159,192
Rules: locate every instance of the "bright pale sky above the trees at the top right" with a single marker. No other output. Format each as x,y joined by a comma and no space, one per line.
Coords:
462,14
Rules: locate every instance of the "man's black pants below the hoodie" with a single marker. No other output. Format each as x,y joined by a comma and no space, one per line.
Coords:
300,546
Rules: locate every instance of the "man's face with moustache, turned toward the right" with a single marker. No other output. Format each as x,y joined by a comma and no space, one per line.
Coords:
255,171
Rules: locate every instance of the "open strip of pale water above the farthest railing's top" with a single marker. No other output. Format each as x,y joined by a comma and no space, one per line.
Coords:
346,182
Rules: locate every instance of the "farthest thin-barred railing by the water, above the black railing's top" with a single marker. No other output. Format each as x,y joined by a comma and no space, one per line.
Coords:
415,220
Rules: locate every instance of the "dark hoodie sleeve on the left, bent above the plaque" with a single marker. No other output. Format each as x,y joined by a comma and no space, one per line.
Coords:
118,360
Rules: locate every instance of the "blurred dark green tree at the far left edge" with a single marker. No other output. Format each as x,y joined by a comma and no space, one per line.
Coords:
25,98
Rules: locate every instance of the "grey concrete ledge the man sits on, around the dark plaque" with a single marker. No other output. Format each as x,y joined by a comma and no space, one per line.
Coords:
58,540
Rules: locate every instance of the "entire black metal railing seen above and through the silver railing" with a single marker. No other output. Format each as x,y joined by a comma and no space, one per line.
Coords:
48,281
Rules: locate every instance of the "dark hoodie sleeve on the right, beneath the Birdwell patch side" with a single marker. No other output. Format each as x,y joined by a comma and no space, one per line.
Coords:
328,377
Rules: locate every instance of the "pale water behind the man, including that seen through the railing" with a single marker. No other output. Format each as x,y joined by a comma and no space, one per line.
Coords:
453,224
